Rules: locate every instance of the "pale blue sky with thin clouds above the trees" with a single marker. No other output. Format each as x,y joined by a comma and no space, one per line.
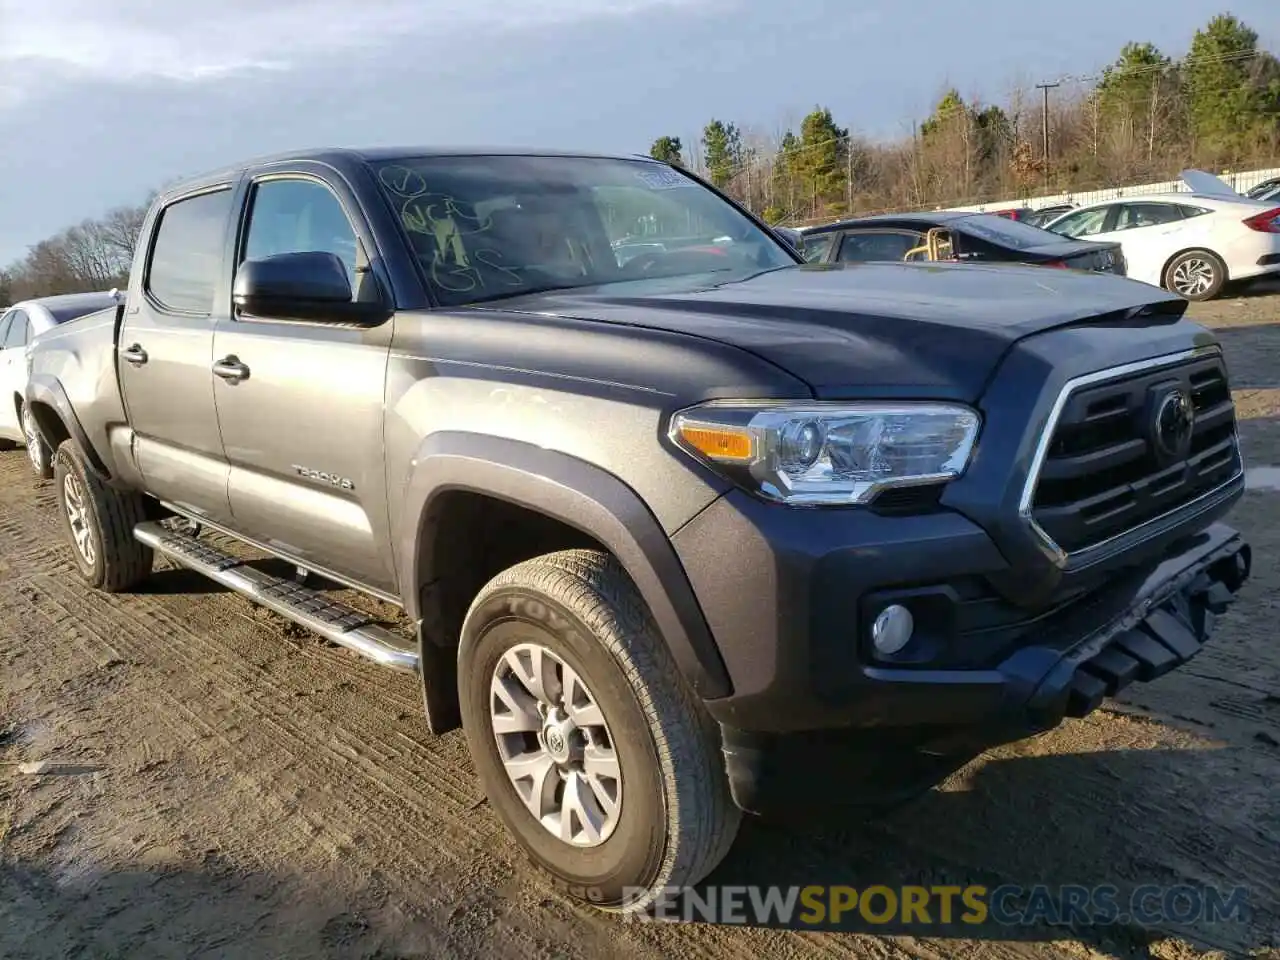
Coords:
102,100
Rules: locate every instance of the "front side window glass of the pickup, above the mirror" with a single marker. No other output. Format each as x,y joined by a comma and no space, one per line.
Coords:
298,217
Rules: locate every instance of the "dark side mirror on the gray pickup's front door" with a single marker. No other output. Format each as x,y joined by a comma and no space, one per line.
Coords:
305,286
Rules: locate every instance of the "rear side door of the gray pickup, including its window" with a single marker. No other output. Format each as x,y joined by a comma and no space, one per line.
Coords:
166,353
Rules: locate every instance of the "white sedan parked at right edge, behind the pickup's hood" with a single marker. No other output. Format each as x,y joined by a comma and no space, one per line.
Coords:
1191,244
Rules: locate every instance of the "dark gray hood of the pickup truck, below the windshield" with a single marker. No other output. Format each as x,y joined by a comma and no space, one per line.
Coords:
892,330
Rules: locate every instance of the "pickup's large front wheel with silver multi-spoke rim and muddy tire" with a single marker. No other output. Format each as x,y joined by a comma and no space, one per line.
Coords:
591,748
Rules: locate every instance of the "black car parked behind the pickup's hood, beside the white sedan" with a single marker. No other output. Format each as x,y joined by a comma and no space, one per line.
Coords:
949,235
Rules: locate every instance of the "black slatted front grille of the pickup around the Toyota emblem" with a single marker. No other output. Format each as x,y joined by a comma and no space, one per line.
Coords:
1108,469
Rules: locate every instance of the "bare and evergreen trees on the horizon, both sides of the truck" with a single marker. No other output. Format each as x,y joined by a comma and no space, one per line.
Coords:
1145,118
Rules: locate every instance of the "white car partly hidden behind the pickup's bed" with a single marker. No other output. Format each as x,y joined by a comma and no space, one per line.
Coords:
20,324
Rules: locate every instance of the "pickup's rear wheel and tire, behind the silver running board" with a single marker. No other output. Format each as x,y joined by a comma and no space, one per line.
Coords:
99,524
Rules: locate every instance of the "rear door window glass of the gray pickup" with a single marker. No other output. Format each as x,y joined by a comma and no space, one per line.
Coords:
188,255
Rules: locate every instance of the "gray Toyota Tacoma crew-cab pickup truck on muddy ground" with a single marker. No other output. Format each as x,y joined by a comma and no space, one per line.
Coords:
684,533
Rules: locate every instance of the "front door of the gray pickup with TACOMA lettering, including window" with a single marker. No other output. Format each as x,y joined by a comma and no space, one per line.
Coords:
301,404
